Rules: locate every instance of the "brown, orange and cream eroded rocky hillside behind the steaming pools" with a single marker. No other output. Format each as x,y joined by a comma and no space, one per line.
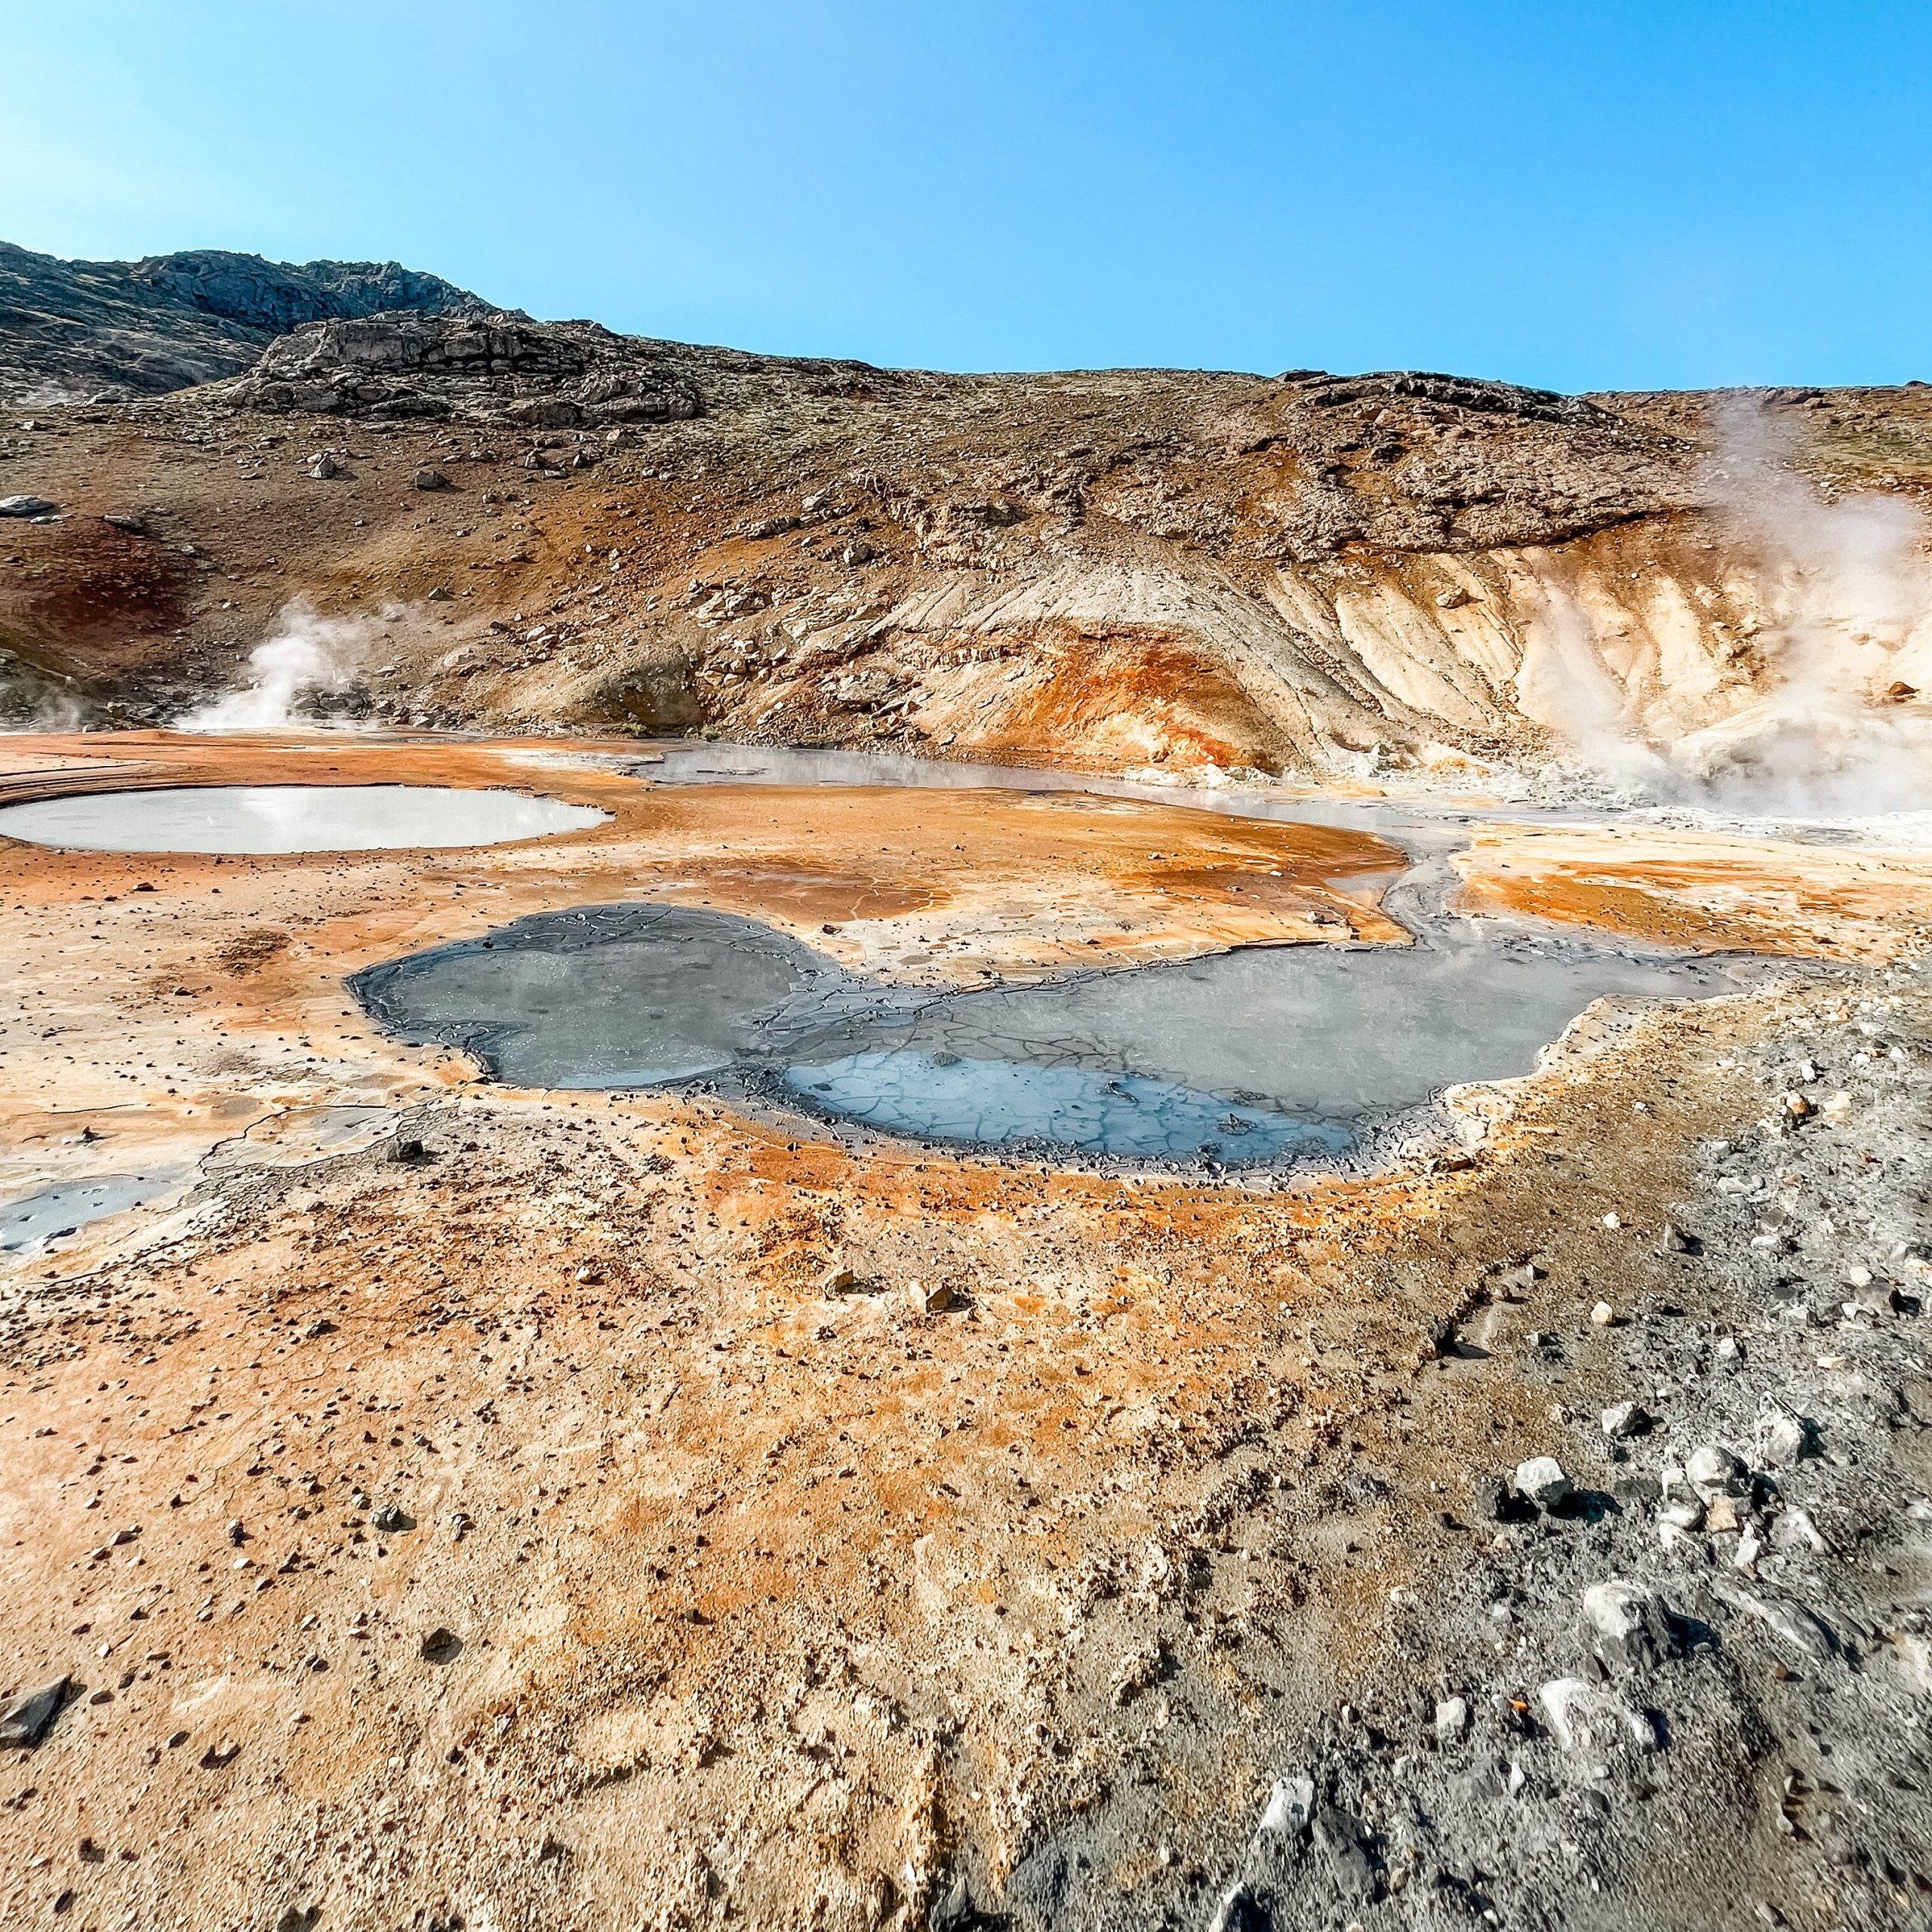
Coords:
548,526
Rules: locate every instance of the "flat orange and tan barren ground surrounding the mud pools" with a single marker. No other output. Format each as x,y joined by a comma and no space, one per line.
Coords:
525,1535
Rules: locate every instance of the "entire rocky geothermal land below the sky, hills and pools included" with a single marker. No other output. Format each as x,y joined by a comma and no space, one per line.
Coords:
807,1147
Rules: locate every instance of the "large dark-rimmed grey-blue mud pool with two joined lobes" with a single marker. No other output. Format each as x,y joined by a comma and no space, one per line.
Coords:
1255,1058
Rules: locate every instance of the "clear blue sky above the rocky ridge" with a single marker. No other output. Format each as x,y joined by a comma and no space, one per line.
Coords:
1628,194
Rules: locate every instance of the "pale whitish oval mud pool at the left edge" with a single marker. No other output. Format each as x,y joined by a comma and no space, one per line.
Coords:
291,818
